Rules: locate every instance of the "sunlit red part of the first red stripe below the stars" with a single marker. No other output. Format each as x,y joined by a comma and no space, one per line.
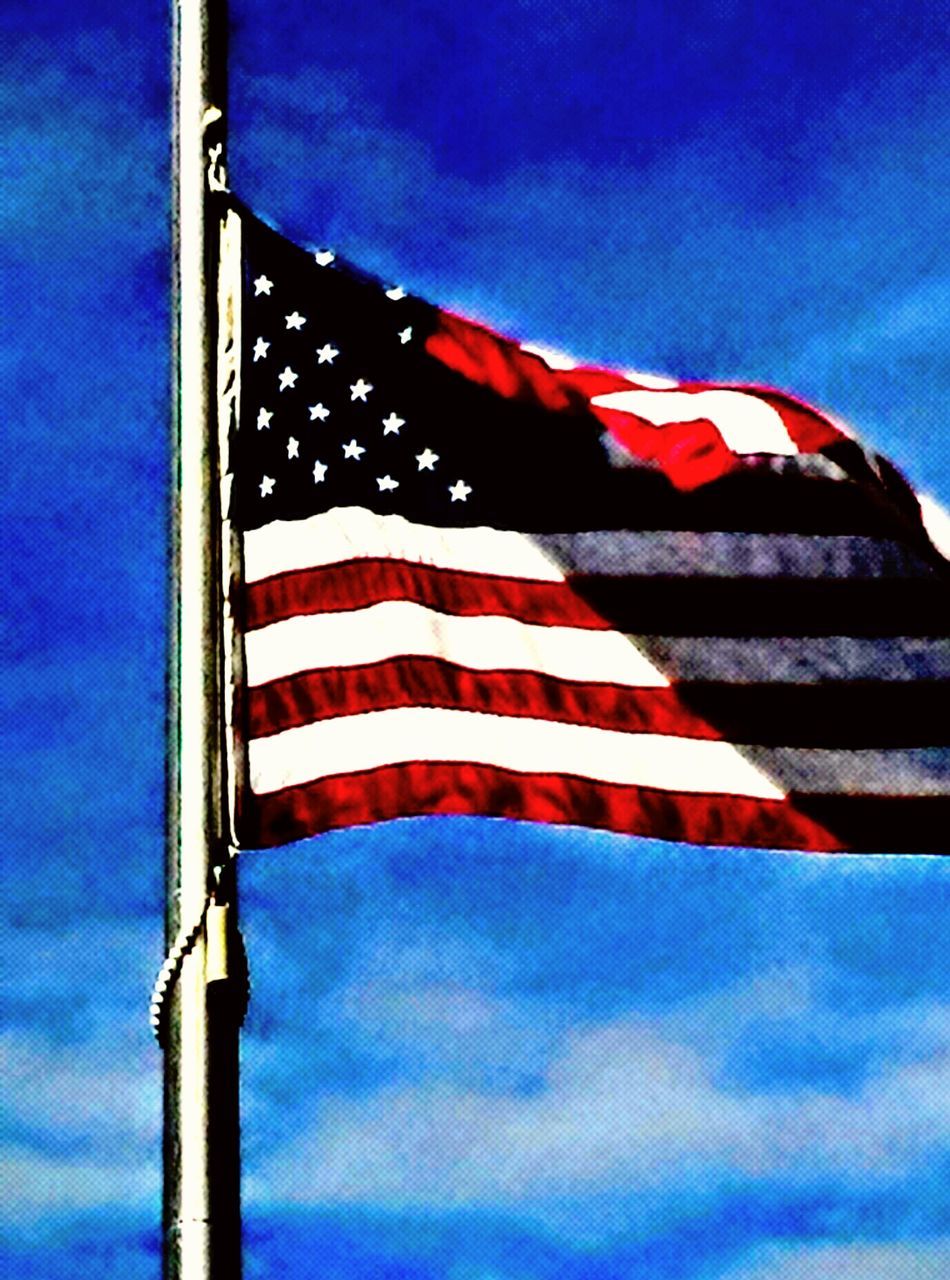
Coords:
358,584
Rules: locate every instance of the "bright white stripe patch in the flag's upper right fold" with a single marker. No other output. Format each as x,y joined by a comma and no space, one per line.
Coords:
745,422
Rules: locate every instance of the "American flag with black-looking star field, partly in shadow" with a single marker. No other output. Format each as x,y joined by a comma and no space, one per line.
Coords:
474,579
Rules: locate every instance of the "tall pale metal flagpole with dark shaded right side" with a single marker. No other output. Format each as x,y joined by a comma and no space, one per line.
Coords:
202,1213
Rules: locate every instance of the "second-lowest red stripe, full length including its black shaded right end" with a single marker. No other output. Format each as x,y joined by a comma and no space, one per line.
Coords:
861,714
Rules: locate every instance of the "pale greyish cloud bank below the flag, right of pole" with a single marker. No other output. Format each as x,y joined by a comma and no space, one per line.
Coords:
627,1119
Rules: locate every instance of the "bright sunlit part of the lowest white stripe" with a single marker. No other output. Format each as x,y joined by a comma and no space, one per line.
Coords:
354,743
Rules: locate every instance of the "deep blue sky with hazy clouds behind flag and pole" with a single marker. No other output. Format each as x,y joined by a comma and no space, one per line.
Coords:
476,1052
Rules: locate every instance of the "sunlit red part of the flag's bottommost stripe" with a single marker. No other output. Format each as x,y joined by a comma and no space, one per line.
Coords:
409,790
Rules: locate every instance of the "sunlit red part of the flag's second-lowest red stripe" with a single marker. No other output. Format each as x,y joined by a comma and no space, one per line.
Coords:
316,696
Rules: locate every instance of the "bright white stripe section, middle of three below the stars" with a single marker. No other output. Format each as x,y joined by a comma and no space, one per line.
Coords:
396,629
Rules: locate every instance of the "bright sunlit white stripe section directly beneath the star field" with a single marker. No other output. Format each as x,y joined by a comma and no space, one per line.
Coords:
354,533
